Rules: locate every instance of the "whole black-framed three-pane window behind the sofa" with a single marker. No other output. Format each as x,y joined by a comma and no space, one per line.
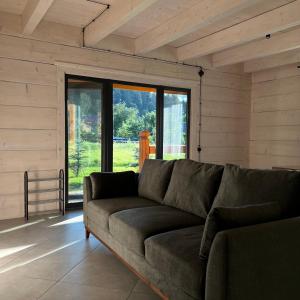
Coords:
104,121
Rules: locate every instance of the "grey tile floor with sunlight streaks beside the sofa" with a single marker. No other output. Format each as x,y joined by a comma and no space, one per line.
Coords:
48,258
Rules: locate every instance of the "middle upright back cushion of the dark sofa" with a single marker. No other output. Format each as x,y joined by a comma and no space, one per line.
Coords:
193,186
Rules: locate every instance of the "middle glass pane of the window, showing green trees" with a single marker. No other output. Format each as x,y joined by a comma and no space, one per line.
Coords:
134,110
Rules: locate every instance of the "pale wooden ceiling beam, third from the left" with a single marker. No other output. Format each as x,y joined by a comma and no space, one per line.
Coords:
190,20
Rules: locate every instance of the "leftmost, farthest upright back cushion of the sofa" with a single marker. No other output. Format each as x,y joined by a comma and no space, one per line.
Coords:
154,179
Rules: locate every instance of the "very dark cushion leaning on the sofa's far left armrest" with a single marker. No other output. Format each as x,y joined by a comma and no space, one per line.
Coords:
111,185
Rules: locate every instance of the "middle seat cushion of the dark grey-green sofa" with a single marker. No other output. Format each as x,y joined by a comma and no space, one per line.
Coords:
131,227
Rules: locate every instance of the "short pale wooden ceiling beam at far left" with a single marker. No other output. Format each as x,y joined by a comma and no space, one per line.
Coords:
33,14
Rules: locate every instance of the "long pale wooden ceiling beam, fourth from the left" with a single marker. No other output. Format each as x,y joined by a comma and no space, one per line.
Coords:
282,18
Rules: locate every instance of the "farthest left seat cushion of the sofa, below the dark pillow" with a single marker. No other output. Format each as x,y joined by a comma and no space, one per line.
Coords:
100,210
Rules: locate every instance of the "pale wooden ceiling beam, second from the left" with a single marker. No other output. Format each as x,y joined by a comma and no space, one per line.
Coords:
119,13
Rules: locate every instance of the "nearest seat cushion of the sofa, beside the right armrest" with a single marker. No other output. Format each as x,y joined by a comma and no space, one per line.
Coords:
175,254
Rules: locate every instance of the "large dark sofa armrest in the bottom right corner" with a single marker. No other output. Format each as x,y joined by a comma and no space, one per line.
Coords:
258,262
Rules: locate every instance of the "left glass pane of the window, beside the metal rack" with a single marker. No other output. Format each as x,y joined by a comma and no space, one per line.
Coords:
84,133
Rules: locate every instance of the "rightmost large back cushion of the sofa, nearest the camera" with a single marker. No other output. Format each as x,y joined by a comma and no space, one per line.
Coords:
241,187
